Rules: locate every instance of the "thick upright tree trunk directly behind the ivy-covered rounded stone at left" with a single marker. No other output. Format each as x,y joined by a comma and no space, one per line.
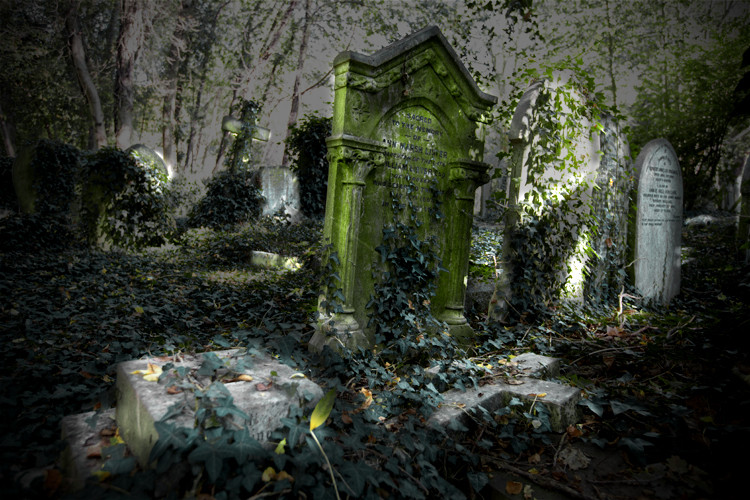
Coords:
128,46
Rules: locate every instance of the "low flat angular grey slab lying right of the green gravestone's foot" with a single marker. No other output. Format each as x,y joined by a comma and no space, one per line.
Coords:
560,400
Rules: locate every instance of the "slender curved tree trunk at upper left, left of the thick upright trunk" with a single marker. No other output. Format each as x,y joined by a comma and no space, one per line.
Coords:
78,55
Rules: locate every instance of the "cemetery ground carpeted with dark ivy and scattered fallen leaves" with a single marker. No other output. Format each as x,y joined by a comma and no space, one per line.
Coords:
664,414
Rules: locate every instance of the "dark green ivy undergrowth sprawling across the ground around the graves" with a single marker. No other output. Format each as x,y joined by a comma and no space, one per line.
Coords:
71,314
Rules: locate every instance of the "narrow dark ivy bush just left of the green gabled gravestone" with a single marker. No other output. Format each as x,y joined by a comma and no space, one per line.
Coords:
307,144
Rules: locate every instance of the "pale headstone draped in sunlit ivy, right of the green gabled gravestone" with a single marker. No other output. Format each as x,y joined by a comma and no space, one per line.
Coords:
566,198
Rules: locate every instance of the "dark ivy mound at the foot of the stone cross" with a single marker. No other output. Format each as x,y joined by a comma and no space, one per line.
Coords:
232,197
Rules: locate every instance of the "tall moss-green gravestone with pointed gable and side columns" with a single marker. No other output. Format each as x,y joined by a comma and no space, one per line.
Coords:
408,128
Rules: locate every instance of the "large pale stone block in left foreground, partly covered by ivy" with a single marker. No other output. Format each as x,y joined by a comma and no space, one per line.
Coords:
267,394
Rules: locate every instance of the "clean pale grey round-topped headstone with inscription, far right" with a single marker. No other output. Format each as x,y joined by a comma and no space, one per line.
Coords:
656,233
